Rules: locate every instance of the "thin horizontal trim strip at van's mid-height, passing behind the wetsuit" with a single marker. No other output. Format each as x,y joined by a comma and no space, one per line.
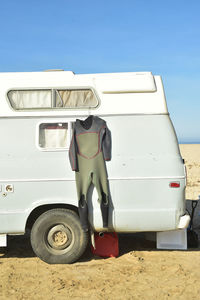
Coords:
109,178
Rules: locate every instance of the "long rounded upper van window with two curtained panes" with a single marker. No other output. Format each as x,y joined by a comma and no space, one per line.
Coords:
52,99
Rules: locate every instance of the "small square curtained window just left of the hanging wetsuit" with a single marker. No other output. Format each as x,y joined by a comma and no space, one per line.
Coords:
53,135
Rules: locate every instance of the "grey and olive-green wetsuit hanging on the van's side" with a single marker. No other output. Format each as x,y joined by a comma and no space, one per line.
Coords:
90,147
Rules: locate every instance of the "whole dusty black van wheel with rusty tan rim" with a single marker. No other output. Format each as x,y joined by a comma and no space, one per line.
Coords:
57,237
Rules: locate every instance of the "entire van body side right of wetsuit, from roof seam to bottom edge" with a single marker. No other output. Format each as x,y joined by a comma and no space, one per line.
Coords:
146,158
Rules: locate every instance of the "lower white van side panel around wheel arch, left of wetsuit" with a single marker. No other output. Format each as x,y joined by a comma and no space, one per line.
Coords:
16,207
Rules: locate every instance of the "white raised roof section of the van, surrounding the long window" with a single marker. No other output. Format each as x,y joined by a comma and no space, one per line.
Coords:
125,92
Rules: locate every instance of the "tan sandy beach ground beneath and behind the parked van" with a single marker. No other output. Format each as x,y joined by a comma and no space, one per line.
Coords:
140,272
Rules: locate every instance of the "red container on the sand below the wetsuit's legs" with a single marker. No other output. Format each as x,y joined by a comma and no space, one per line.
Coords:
106,244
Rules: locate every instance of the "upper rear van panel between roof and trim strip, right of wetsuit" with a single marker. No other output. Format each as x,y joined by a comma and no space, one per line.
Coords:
144,146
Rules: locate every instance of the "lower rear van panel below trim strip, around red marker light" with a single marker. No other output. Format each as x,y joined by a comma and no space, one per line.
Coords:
152,205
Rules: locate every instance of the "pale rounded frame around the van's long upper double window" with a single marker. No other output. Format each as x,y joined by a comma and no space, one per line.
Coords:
54,91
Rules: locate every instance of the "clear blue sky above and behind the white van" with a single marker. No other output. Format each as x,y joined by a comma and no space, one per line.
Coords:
95,36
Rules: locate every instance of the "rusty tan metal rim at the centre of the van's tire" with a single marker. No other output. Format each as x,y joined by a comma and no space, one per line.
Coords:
60,239
